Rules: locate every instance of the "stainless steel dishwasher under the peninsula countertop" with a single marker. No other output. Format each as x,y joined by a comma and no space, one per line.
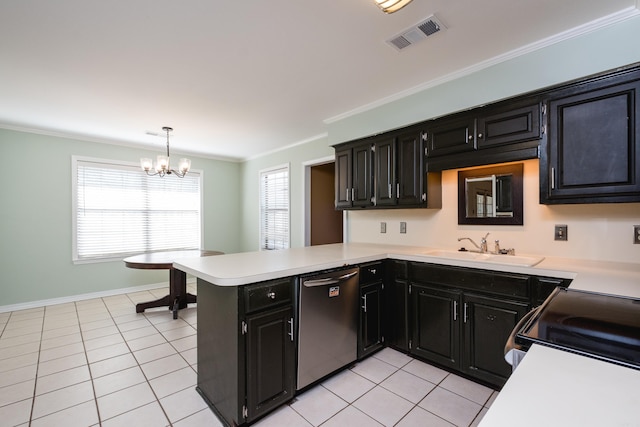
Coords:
327,323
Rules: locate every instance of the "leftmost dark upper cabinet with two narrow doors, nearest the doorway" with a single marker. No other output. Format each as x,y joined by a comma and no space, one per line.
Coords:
354,176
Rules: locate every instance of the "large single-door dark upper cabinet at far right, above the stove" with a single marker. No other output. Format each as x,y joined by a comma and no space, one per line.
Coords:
592,154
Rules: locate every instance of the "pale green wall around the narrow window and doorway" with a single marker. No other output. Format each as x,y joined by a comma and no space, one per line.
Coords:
296,157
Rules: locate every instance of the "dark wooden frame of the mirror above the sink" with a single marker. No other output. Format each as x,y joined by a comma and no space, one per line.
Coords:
516,192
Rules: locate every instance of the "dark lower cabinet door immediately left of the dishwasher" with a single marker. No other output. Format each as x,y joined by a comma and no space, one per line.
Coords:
270,360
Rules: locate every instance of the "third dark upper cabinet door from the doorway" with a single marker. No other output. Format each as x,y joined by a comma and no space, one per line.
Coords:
385,171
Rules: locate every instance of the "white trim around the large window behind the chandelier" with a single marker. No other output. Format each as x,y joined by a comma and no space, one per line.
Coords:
74,204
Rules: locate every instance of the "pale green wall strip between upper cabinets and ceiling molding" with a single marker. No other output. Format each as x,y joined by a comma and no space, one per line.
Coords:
597,51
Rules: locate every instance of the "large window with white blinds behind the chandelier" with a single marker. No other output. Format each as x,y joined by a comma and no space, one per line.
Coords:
119,210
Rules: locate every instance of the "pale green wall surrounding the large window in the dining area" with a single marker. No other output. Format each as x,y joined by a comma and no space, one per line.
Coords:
36,218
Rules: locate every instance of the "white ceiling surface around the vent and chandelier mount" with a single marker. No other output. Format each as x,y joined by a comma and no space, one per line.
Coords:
239,78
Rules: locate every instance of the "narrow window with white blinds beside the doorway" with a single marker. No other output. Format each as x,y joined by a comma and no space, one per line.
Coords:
274,208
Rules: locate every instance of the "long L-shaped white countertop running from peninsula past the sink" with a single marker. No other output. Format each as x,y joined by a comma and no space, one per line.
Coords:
251,267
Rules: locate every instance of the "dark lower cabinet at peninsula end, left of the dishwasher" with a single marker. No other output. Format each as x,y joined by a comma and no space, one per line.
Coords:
246,348
